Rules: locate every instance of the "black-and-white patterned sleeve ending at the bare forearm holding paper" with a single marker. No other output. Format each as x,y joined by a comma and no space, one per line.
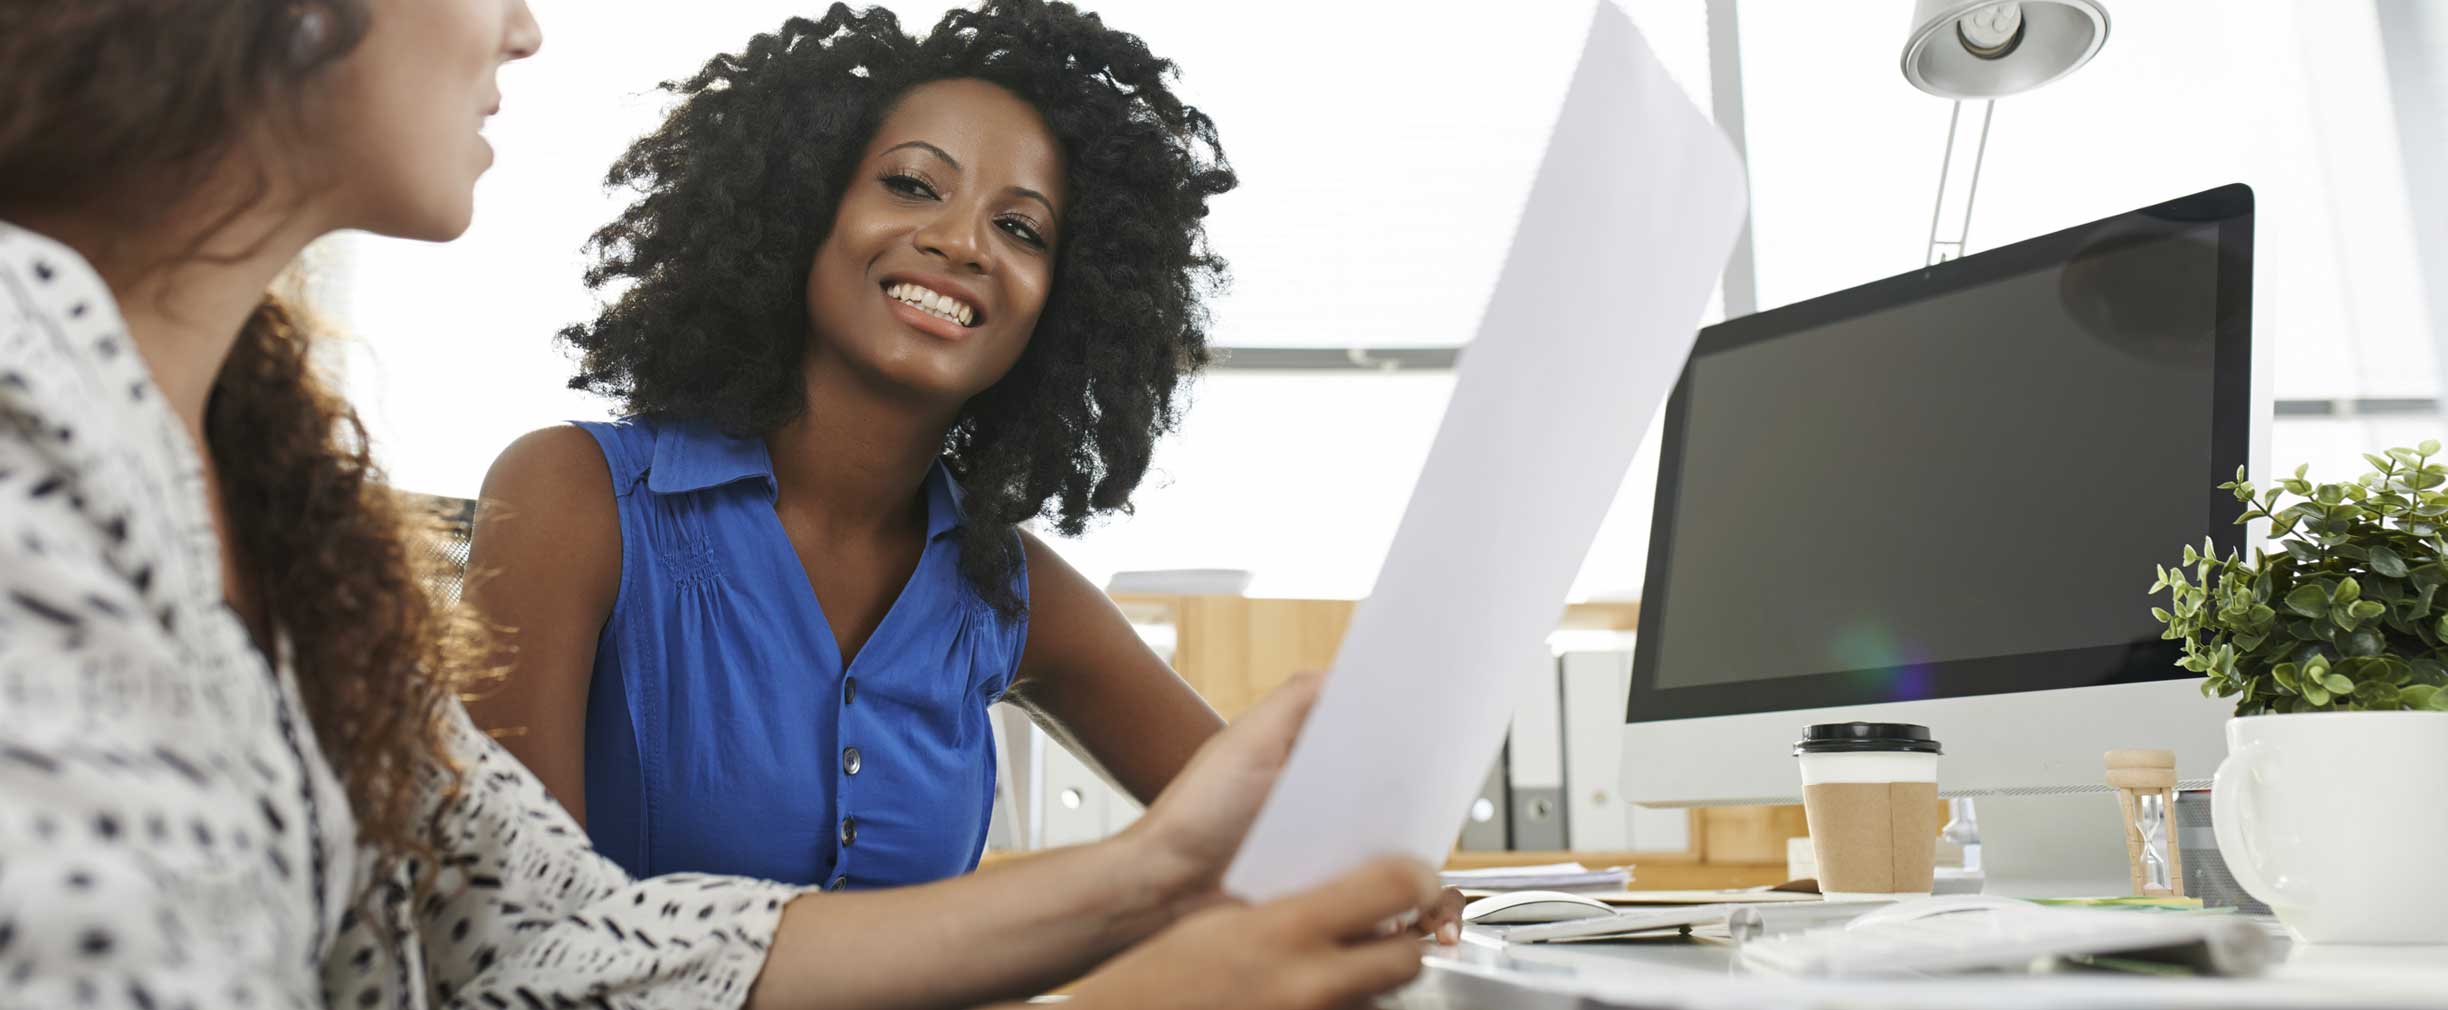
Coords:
528,916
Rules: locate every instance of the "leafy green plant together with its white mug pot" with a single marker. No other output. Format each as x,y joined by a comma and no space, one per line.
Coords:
2334,649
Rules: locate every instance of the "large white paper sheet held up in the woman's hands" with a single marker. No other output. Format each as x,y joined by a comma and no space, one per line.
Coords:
1629,221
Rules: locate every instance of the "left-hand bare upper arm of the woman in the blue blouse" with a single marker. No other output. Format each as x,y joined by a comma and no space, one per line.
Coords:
545,569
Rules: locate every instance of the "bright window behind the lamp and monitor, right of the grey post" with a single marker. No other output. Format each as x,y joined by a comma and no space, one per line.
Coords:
2288,97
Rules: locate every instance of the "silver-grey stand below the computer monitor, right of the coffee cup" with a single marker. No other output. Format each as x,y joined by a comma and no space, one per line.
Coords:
2067,845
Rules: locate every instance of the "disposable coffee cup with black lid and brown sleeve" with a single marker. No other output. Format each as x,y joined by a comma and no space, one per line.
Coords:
1871,796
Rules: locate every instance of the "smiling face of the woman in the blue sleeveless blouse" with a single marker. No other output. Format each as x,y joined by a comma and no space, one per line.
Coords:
944,248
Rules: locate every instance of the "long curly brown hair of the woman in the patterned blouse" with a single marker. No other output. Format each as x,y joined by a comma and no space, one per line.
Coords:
124,109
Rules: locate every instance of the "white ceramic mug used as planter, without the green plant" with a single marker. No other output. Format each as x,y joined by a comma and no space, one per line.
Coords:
2339,823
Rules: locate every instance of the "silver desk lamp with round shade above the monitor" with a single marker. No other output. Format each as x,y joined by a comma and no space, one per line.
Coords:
1977,53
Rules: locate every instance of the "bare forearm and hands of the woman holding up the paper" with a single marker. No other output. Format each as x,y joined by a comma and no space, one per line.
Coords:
1022,928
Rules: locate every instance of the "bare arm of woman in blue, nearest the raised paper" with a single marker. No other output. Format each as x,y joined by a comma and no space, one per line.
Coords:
1091,681
